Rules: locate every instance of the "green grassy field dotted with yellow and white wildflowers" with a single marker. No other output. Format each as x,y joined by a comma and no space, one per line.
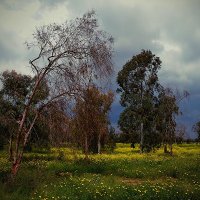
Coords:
124,174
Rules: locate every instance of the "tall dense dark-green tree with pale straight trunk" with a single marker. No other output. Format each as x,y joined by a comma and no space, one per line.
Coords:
139,88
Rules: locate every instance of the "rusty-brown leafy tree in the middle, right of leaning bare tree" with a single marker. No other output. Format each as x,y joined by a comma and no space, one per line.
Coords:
91,119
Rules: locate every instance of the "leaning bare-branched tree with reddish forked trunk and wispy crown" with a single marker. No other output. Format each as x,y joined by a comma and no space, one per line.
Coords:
67,53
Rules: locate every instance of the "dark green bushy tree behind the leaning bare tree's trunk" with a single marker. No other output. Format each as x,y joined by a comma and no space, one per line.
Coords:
13,95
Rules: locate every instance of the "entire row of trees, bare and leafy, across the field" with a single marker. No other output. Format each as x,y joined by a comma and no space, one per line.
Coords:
66,101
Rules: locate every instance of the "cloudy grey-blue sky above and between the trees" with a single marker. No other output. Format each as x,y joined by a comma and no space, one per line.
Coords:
170,29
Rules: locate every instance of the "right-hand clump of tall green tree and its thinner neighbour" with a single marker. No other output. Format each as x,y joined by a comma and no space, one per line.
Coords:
150,109
